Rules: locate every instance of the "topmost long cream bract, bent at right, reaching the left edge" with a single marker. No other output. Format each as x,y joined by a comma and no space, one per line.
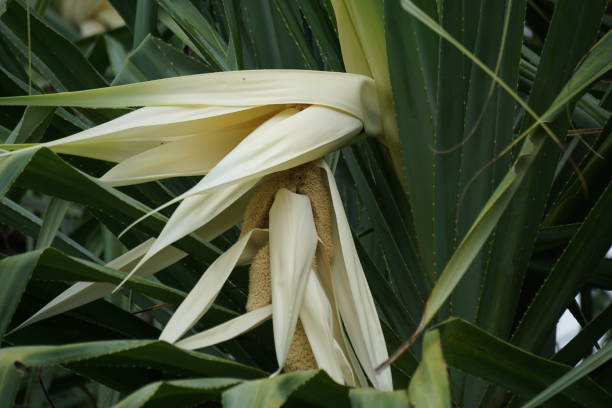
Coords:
350,93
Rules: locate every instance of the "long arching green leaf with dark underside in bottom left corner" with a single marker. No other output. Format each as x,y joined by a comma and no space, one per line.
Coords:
139,359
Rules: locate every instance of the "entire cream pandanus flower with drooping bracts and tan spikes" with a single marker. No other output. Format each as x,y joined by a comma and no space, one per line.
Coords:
256,137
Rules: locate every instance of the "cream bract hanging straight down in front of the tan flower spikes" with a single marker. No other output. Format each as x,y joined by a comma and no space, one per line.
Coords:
293,241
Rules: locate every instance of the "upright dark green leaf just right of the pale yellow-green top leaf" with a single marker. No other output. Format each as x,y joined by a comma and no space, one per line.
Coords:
413,60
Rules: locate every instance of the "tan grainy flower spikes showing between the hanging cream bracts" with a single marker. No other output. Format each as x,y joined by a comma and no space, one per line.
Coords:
309,180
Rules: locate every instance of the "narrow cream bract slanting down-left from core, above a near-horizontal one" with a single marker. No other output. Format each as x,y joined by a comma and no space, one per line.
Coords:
204,293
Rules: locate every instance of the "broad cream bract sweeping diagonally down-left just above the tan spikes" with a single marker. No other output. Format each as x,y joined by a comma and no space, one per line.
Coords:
288,139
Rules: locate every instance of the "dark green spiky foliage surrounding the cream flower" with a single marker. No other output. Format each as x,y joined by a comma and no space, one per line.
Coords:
547,247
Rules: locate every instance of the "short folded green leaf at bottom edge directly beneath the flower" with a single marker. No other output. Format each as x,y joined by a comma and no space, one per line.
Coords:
312,388
